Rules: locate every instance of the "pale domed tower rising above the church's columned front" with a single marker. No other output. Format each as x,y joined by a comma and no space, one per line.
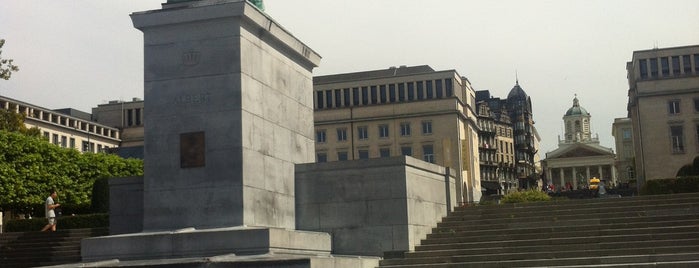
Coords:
577,124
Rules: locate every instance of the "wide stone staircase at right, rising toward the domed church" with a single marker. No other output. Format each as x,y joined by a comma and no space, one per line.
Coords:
642,231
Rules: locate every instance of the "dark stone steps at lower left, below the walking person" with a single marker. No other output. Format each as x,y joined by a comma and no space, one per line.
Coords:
30,249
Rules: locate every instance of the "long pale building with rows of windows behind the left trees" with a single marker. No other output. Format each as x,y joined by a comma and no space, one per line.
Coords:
67,128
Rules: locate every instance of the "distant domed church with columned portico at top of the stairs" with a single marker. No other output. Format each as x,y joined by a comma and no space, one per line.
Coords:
579,155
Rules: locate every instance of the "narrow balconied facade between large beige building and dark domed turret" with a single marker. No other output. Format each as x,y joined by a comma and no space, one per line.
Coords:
496,144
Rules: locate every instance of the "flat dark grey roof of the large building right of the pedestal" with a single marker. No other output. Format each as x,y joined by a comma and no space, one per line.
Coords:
392,71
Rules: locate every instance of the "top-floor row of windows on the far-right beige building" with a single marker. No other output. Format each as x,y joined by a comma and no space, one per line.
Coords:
668,66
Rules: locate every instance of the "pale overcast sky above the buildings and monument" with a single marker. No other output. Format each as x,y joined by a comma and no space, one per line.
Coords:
82,53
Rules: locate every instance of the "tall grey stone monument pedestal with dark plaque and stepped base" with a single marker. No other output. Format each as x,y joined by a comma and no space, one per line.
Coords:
229,112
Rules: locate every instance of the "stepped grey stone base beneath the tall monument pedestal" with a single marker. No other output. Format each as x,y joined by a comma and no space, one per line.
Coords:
247,246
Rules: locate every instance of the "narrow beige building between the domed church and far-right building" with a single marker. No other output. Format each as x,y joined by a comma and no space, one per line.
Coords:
622,130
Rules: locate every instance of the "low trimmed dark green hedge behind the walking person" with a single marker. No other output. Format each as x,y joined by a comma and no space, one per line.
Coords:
65,222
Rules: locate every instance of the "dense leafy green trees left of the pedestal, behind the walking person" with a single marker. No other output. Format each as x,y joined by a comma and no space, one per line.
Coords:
30,167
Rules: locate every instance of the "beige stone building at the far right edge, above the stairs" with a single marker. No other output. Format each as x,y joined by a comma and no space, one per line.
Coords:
664,109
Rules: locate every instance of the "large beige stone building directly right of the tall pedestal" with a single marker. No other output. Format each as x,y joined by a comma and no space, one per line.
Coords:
415,111
